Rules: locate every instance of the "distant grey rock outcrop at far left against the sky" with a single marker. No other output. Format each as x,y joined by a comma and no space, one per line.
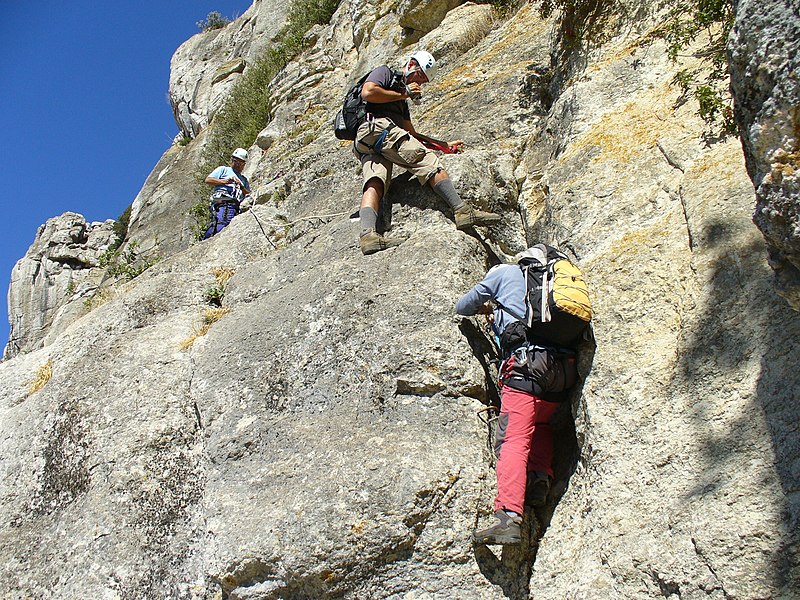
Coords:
57,271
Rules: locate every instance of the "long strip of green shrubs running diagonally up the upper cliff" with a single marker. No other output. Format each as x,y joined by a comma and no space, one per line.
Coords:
248,108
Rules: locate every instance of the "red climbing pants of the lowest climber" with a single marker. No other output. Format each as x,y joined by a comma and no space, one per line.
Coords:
524,443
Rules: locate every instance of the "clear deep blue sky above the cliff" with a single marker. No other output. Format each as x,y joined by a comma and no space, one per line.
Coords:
84,106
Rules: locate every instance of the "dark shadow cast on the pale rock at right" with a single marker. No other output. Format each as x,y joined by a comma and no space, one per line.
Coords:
745,317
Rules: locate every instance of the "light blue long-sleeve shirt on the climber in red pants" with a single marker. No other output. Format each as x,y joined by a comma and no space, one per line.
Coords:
505,284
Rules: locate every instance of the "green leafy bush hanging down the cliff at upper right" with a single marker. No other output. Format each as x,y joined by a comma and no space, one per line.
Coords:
709,87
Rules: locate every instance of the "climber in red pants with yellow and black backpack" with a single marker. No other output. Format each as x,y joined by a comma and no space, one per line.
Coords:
541,312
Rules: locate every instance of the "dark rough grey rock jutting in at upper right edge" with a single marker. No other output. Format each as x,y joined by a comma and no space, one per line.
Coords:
764,51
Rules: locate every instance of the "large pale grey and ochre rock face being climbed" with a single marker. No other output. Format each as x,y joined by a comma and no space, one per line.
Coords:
323,438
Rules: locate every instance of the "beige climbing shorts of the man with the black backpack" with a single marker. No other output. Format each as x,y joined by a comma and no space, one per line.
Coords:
399,148
